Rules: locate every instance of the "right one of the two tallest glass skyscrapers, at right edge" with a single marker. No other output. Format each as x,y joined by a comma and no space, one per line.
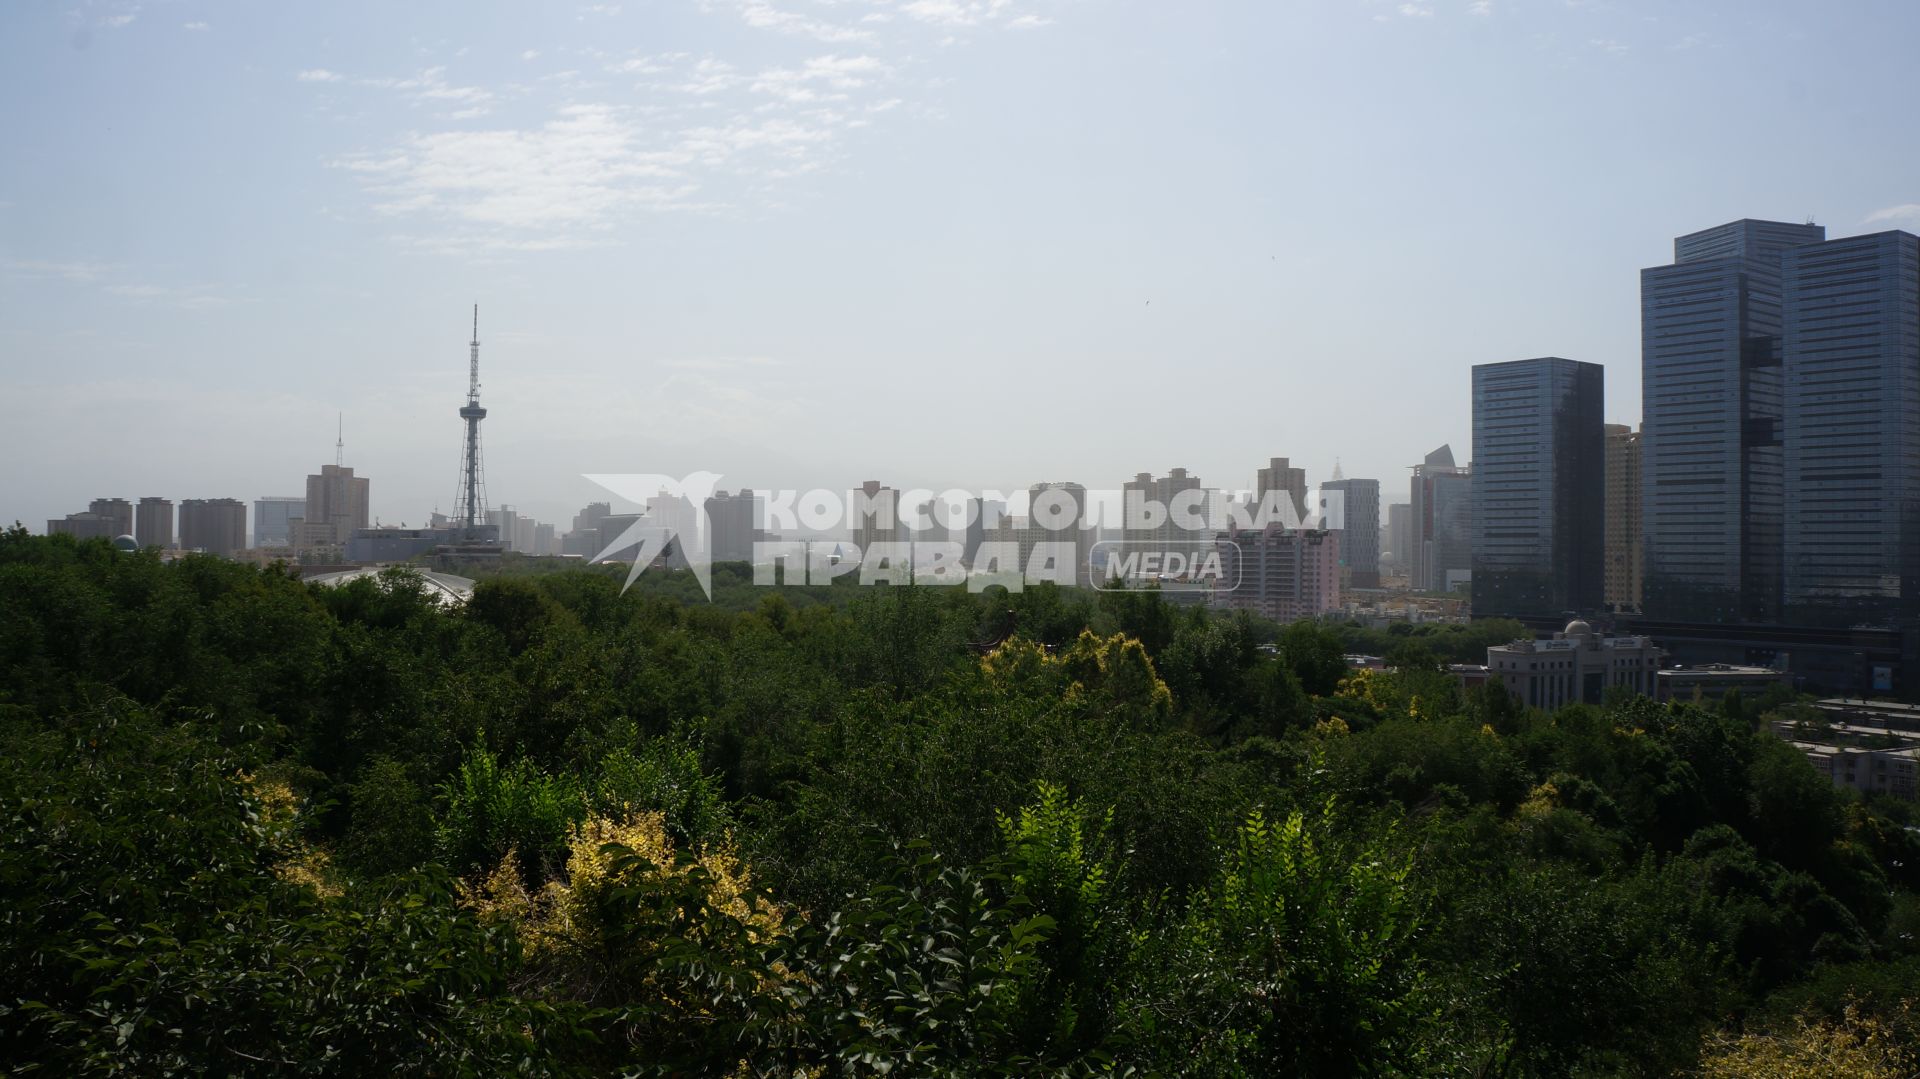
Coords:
1854,431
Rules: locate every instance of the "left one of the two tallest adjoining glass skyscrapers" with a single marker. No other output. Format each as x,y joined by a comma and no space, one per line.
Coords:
1710,443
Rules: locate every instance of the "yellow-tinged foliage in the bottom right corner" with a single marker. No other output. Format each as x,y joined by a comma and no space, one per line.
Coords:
1858,1047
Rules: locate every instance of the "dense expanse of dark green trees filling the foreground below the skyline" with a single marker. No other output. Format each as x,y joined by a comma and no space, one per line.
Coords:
258,827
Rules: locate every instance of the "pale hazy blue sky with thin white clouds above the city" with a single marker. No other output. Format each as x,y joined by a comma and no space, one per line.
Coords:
809,243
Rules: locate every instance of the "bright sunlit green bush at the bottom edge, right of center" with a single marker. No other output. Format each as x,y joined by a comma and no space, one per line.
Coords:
1299,959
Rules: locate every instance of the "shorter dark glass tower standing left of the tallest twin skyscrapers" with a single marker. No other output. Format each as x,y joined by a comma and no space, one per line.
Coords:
1539,487
